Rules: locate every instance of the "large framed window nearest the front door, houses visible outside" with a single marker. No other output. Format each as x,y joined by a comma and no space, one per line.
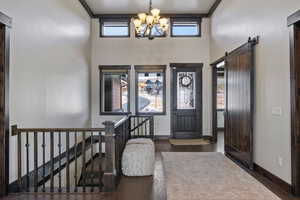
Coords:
150,90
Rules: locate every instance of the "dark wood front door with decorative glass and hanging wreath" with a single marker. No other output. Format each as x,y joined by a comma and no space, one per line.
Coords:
186,100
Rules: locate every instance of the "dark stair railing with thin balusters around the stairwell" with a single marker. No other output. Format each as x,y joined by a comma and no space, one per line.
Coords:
75,159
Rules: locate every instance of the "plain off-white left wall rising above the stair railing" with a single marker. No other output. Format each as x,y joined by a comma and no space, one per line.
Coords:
50,55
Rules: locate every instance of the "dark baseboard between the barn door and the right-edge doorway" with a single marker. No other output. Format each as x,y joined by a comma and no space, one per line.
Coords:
273,178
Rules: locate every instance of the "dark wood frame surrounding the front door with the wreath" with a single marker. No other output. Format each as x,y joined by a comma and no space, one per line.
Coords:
200,104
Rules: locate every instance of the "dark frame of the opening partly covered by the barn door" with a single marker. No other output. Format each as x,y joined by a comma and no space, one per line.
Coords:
214,99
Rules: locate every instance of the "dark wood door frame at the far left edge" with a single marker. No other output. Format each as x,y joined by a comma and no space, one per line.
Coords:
4,137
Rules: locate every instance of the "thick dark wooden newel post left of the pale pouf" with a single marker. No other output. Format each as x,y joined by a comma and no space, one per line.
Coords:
110,173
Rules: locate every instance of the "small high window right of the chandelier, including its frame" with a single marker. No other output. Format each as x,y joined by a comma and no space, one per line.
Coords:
185,27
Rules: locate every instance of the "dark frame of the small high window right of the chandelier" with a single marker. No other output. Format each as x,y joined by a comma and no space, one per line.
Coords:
186,19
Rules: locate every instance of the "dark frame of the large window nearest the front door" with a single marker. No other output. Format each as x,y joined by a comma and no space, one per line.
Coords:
150,69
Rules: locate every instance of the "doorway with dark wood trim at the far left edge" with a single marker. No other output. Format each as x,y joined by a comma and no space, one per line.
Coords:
5,24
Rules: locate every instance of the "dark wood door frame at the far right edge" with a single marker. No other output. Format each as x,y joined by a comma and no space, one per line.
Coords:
293,23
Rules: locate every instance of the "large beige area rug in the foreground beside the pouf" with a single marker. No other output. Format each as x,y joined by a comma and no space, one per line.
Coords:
210,176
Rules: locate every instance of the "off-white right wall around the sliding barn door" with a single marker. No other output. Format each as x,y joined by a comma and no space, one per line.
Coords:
233,22
